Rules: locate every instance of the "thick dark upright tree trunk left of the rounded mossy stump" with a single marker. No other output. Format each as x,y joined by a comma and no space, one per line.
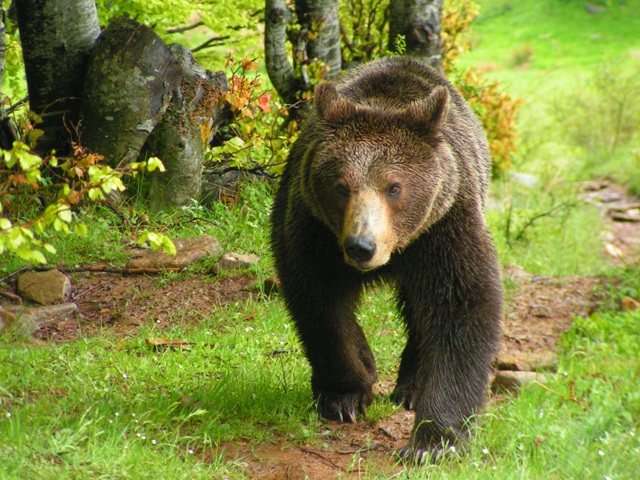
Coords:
56,37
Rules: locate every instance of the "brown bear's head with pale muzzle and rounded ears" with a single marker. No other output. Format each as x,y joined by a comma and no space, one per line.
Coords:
378,174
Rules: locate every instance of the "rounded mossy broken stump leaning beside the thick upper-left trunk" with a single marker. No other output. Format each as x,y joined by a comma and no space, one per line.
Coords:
130,79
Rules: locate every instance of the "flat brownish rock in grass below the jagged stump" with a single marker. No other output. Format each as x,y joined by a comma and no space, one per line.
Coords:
189,250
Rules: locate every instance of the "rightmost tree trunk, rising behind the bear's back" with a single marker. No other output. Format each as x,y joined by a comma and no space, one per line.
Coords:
419,22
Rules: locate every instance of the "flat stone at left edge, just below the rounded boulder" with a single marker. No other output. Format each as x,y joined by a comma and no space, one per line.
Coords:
27,320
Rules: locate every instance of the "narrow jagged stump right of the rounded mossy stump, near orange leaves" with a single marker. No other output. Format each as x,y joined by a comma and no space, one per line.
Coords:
180,137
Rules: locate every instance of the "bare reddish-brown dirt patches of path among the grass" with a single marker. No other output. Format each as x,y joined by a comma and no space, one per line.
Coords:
538,310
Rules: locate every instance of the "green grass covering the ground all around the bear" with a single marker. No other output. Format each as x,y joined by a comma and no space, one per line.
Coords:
109,407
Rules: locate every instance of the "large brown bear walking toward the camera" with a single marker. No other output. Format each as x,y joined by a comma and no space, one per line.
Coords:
388,180
